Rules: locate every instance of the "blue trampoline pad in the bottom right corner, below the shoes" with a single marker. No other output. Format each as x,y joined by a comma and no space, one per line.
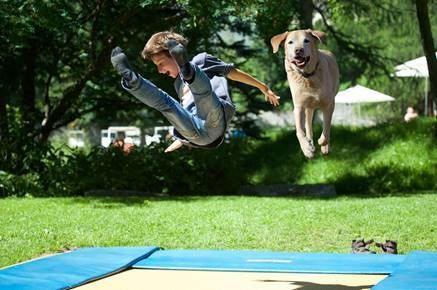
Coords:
418,271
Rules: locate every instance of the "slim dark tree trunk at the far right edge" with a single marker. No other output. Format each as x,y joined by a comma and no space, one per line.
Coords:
429,50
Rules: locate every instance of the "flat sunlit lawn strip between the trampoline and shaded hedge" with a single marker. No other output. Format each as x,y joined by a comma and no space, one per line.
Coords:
30,227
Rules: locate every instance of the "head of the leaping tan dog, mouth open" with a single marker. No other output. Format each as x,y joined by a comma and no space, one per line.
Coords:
300,47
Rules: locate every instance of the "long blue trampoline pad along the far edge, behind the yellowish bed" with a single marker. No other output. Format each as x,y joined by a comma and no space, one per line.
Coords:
271,262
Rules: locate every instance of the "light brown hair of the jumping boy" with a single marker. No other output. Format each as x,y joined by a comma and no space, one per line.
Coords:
158,43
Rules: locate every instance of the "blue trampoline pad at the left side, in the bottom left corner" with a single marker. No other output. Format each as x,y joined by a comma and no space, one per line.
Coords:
64,271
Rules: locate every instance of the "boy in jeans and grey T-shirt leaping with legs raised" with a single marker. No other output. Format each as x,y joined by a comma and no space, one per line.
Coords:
201,119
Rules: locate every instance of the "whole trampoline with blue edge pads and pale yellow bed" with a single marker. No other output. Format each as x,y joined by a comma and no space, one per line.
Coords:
155,268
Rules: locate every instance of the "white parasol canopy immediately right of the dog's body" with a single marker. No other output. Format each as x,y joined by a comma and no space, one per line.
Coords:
360,94
